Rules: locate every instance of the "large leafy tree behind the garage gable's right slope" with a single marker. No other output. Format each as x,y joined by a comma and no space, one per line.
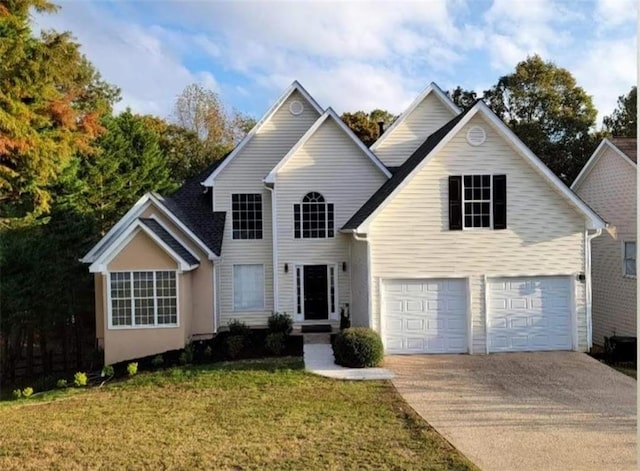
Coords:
546,109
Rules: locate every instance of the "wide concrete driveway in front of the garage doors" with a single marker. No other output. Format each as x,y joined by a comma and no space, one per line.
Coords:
525,411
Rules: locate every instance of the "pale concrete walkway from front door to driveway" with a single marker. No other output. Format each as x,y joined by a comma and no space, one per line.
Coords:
318,359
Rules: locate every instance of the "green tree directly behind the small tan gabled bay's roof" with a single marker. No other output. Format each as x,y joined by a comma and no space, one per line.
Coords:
128,164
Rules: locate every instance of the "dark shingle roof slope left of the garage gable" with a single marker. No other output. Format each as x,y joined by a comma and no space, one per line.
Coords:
401,173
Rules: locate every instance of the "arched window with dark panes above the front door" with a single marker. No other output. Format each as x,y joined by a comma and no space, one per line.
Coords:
313,218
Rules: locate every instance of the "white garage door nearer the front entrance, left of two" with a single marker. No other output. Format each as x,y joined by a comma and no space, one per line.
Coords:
425,316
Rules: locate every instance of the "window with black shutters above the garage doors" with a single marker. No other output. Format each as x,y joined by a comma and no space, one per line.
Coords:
477,201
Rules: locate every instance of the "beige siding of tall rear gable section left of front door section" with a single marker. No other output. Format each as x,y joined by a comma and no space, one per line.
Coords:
244,174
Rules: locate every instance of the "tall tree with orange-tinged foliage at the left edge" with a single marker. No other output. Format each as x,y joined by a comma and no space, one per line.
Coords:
51,102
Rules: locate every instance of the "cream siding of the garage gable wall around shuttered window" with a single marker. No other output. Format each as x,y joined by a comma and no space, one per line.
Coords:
545,236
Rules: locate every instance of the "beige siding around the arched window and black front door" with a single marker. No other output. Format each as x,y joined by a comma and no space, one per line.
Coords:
332,164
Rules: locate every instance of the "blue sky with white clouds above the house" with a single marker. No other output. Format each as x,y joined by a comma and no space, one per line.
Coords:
350,55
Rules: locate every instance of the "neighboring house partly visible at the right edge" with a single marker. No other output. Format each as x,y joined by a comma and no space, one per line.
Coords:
607,183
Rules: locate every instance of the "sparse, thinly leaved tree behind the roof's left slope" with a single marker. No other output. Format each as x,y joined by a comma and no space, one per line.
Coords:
201,111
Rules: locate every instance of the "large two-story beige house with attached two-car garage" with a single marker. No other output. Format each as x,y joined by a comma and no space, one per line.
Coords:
447,236
